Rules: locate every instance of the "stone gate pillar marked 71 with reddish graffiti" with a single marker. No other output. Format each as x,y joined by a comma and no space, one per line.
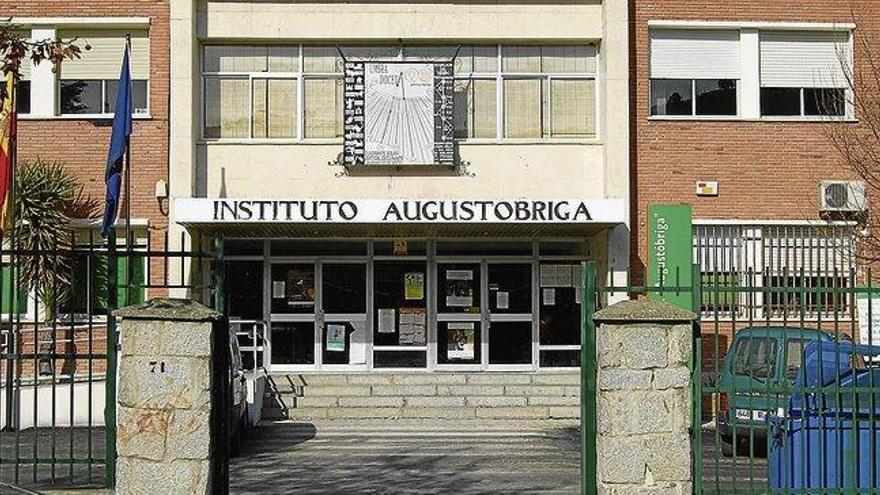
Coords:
164,415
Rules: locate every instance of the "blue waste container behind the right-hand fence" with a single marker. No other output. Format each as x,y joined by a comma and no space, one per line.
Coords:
830,436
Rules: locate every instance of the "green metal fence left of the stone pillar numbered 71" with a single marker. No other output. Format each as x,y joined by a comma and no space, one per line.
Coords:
59,349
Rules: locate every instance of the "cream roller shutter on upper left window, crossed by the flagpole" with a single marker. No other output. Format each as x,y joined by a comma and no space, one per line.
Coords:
104,60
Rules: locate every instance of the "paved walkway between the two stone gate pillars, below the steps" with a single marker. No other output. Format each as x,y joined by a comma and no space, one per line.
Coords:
409,456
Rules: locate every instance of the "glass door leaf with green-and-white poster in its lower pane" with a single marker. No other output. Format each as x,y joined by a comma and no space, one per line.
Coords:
343,318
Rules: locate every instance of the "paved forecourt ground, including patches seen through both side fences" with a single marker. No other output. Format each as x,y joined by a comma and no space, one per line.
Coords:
381,456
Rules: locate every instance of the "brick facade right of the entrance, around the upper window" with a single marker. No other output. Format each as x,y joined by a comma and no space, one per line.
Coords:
765,170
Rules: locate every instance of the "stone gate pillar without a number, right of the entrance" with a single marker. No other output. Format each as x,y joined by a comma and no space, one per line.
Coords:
644,398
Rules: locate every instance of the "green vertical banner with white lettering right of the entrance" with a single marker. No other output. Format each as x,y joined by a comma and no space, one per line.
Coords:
670,252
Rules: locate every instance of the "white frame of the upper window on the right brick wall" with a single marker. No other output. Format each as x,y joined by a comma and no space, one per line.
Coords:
749,84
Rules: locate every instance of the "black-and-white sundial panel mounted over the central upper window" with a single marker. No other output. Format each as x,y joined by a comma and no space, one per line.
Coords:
398,113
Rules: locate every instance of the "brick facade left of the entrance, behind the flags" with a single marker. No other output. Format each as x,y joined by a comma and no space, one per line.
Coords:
82,144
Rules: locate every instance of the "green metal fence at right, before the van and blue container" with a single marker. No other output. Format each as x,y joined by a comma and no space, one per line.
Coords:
786,386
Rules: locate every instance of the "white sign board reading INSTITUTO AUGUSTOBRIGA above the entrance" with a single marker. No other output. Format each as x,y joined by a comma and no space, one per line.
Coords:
279,211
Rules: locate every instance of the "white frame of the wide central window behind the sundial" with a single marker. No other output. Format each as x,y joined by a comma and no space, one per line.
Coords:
301,75
